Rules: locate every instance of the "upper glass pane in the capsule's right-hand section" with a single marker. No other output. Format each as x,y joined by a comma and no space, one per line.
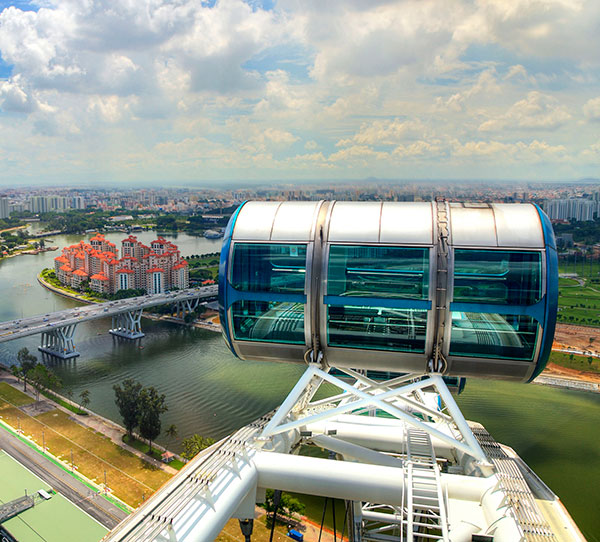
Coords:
497,276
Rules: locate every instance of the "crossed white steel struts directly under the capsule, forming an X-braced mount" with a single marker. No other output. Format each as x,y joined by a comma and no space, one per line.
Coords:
297,412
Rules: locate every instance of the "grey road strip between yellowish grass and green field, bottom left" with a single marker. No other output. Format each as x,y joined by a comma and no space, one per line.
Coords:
79,494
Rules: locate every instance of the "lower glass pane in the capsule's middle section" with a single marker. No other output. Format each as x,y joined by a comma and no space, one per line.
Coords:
377,328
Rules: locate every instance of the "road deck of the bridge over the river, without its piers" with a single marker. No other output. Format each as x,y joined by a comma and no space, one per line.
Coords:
16,329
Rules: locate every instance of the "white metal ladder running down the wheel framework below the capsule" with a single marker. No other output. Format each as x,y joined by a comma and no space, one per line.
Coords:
426,510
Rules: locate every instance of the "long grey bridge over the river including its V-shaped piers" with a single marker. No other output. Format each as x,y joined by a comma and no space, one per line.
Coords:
57,328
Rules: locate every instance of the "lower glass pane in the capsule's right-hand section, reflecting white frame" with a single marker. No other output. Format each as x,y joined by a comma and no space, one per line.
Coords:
490,335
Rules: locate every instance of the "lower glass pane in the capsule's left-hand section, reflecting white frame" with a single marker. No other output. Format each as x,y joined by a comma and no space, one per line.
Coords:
268,321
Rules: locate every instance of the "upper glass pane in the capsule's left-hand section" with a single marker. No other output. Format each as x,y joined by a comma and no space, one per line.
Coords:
261,267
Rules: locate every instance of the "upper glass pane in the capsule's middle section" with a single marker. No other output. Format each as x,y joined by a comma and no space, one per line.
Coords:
378,271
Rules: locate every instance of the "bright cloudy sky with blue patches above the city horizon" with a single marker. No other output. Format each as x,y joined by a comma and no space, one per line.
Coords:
187,90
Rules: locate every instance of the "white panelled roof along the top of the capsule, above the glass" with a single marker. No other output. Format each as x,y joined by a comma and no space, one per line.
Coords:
471,224
